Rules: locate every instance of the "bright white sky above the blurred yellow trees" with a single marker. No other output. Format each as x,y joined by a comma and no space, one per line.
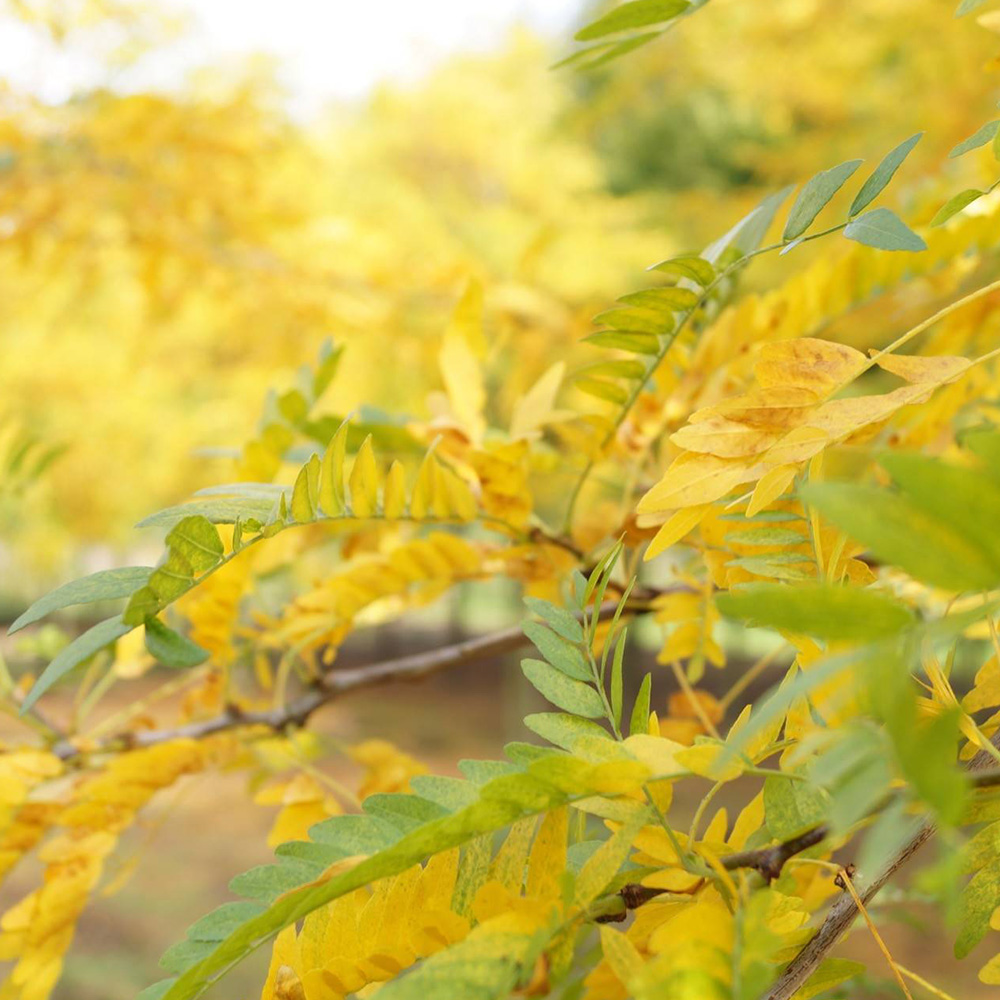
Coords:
326,48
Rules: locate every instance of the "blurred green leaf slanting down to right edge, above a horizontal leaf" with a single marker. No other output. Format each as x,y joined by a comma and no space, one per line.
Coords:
899,532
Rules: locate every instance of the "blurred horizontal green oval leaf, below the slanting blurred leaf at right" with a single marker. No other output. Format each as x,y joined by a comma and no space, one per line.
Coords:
822,610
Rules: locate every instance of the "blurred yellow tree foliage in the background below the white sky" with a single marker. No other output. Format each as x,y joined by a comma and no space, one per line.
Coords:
166,257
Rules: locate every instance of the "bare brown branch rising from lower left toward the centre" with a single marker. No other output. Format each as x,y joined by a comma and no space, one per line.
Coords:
331,686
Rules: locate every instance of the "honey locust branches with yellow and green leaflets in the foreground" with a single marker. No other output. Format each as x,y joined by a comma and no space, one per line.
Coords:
729,454
